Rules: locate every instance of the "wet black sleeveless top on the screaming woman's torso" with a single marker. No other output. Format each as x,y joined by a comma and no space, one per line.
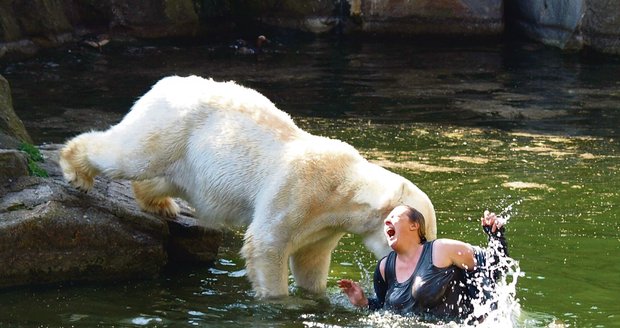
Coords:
430,292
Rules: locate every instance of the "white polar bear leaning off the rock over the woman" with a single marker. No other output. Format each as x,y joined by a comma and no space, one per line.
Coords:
238,160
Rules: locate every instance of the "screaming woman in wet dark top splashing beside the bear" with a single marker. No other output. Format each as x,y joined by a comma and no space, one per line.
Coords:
428,279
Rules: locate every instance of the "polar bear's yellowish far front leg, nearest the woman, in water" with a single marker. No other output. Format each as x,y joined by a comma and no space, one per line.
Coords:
310,264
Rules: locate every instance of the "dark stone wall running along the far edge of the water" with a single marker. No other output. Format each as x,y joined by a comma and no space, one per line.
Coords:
28,25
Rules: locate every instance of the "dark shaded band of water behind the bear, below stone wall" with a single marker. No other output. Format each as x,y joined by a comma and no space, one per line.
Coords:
506,85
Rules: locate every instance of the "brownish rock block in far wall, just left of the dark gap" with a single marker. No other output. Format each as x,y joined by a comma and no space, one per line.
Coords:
430,17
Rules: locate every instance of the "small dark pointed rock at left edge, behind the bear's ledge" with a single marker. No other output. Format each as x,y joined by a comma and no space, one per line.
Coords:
10,124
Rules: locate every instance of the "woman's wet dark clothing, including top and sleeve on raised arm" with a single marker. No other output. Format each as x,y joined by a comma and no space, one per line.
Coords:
436,293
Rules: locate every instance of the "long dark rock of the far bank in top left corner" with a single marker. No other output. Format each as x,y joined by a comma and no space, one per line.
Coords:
30,25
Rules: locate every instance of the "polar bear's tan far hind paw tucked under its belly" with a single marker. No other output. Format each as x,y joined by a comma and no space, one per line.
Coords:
153,196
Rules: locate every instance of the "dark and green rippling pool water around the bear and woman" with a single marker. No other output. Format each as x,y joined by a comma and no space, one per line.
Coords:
513,126
